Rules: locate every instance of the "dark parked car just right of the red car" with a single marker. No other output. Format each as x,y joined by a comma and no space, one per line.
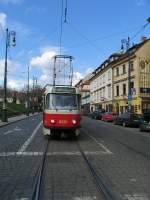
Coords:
127,119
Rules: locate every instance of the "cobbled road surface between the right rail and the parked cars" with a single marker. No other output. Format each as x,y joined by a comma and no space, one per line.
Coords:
127,168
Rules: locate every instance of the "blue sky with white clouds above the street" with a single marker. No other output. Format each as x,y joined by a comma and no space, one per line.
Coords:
93,32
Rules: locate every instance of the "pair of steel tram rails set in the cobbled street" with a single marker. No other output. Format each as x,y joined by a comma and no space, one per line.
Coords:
103,187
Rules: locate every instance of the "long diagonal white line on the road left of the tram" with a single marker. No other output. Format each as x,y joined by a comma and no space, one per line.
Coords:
28,141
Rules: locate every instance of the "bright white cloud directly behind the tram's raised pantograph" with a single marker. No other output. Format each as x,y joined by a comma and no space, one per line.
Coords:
44,63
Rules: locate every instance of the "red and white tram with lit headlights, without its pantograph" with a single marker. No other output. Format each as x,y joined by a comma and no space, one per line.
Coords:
61,110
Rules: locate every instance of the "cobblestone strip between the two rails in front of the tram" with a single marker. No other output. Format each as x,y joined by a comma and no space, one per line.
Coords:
66,176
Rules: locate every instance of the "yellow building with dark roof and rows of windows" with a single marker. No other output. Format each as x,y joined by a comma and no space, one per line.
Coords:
139,58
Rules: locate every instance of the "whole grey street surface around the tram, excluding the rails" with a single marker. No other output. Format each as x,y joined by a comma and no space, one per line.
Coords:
120,155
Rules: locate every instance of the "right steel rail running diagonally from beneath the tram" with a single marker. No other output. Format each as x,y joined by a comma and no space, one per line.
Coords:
102,184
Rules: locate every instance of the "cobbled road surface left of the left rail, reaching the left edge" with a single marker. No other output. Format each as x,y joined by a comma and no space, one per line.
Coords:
18,167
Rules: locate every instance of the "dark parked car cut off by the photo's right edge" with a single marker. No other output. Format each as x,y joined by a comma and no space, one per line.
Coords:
145,122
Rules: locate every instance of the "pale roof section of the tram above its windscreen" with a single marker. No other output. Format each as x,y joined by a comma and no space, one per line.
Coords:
61,89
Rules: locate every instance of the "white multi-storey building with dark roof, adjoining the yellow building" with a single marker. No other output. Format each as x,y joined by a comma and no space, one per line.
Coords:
101,84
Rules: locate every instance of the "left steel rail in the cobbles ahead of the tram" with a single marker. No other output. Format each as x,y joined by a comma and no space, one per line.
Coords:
37,186
